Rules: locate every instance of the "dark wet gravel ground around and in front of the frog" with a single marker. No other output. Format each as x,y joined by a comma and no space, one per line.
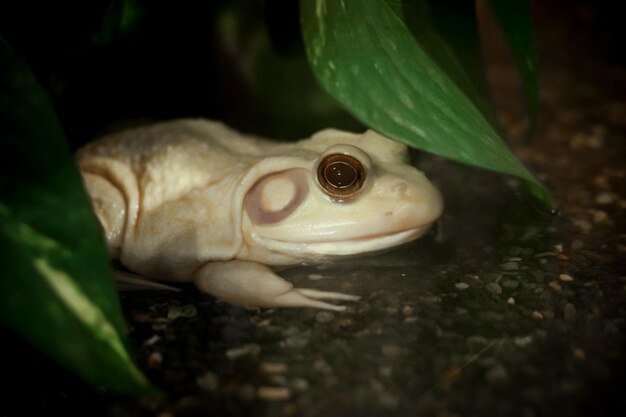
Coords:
503,309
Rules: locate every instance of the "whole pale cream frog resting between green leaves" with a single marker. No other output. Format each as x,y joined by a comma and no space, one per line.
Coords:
193,200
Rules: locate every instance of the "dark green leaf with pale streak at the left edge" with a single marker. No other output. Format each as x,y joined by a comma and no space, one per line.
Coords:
56,290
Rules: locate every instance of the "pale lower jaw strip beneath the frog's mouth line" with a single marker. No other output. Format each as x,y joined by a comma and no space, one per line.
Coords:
354,246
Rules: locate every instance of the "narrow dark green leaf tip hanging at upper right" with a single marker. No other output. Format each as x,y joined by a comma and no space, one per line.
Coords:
514,19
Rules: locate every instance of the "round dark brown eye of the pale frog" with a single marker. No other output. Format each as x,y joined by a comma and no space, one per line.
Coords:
340,175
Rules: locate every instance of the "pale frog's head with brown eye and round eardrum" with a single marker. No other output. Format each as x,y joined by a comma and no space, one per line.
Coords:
338,193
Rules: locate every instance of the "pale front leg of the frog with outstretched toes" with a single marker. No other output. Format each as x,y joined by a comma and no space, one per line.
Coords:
252,284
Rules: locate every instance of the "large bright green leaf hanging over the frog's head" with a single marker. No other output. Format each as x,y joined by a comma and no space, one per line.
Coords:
364,55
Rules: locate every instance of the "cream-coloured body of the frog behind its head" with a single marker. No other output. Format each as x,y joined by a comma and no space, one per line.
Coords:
176,181
